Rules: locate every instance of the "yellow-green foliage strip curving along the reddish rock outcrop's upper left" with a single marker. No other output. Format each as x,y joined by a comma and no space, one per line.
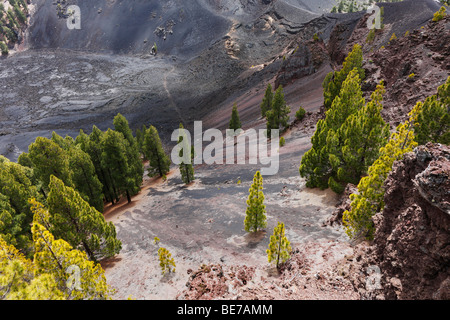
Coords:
428,121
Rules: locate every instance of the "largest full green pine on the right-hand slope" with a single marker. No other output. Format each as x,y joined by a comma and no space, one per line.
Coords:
347,141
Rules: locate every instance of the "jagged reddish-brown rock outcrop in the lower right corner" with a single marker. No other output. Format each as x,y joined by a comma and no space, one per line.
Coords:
412,239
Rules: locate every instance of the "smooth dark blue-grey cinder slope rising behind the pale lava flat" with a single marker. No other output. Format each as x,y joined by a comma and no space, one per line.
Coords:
181,28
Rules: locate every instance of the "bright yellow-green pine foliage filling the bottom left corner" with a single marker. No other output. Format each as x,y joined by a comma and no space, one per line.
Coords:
46,277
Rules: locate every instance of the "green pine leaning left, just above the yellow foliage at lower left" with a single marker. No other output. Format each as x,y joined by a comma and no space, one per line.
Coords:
82,226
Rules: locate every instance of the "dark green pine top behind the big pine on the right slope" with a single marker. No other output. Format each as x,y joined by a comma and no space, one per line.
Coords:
334,80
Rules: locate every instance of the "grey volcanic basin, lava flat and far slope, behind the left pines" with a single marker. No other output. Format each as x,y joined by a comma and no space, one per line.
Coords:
205,53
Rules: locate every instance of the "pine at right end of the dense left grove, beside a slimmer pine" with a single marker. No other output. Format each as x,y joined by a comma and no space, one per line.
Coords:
159,162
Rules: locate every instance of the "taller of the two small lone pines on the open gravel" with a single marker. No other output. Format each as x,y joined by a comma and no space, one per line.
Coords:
255,214
